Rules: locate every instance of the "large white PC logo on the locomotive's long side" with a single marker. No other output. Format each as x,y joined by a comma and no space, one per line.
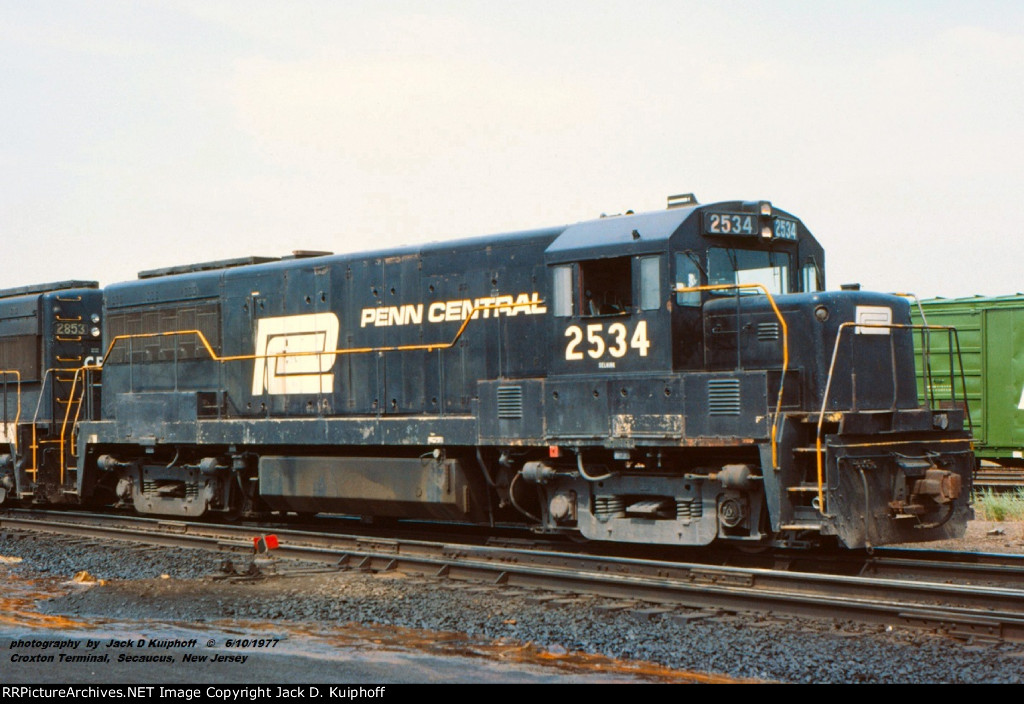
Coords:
295,355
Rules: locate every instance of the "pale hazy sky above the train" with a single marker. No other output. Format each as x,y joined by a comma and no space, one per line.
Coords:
141,135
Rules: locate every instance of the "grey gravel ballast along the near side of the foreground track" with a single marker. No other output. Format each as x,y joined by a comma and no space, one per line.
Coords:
177,586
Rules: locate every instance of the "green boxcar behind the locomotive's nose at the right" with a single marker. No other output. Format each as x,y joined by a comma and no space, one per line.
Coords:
992,345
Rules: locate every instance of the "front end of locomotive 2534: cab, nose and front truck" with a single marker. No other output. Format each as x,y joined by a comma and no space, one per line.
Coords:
727,389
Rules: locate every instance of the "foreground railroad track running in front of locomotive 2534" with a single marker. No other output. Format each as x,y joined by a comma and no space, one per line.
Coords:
922,598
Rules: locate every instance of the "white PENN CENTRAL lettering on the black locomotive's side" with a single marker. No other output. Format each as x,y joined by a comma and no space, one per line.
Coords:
447,312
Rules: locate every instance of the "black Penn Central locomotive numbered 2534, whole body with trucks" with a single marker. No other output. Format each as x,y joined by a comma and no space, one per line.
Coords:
677,378
